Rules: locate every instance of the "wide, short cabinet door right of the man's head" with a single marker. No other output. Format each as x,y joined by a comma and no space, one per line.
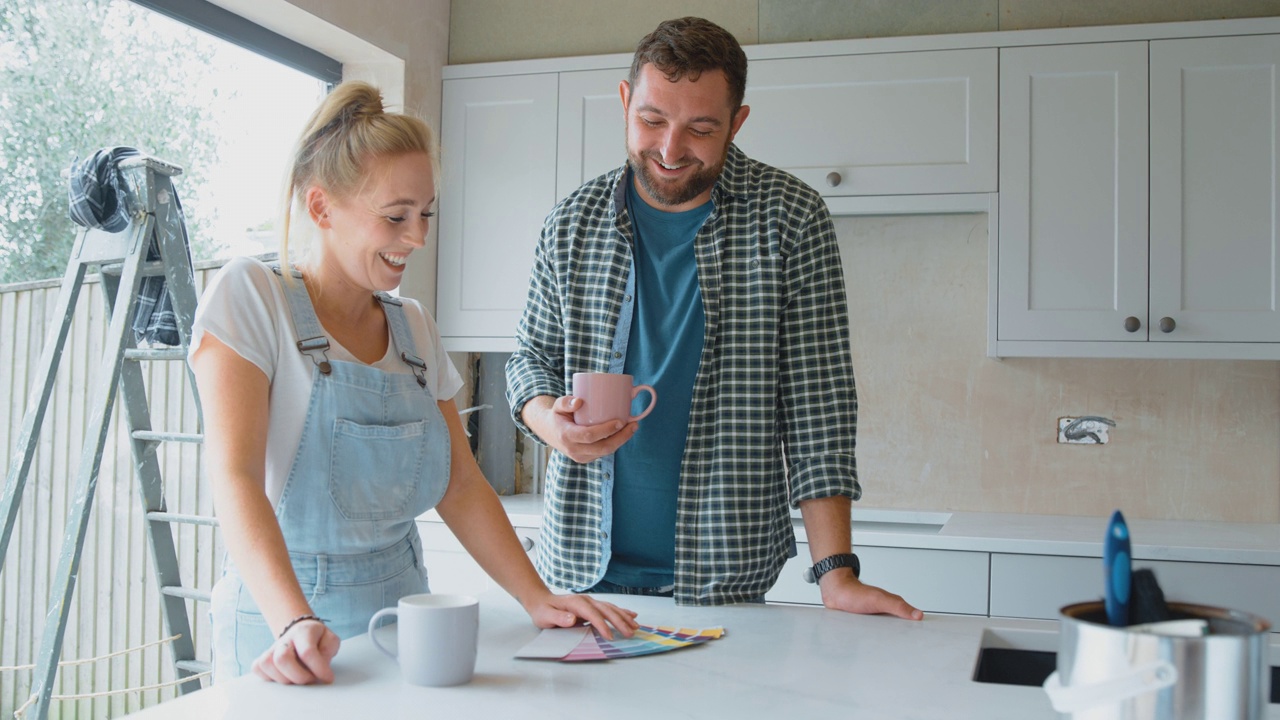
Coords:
900,124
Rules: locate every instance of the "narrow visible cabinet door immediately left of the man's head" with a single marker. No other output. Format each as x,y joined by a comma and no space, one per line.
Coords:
592,127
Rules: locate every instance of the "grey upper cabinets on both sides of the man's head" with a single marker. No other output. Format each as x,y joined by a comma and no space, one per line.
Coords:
897,124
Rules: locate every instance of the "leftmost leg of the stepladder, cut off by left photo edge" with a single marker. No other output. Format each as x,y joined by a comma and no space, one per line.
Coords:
51,358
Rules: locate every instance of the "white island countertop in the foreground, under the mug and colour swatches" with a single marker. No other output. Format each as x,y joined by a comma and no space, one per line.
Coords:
774,662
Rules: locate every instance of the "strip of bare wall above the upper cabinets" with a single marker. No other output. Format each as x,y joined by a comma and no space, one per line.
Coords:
511,30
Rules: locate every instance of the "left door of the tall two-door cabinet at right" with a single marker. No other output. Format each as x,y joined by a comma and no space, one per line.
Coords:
1073,193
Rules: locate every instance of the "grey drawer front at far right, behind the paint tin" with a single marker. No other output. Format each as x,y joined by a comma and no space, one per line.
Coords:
1040,586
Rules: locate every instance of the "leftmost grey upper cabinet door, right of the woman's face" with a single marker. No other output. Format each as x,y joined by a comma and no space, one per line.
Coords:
499,183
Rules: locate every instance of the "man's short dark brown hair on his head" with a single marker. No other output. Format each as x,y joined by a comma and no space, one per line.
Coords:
691,47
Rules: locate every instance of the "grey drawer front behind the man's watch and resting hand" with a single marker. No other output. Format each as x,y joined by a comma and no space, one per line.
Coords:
935,581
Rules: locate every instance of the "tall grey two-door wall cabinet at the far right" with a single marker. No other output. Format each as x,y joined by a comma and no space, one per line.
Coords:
1110,249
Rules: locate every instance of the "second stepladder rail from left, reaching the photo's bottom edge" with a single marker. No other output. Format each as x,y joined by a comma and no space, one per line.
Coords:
92,461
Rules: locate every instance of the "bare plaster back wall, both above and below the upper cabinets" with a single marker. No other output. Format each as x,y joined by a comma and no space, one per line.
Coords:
943,427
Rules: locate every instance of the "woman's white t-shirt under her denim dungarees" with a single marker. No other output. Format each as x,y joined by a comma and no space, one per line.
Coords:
245,308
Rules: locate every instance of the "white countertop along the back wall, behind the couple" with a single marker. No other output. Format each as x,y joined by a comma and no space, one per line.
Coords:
1247,544
